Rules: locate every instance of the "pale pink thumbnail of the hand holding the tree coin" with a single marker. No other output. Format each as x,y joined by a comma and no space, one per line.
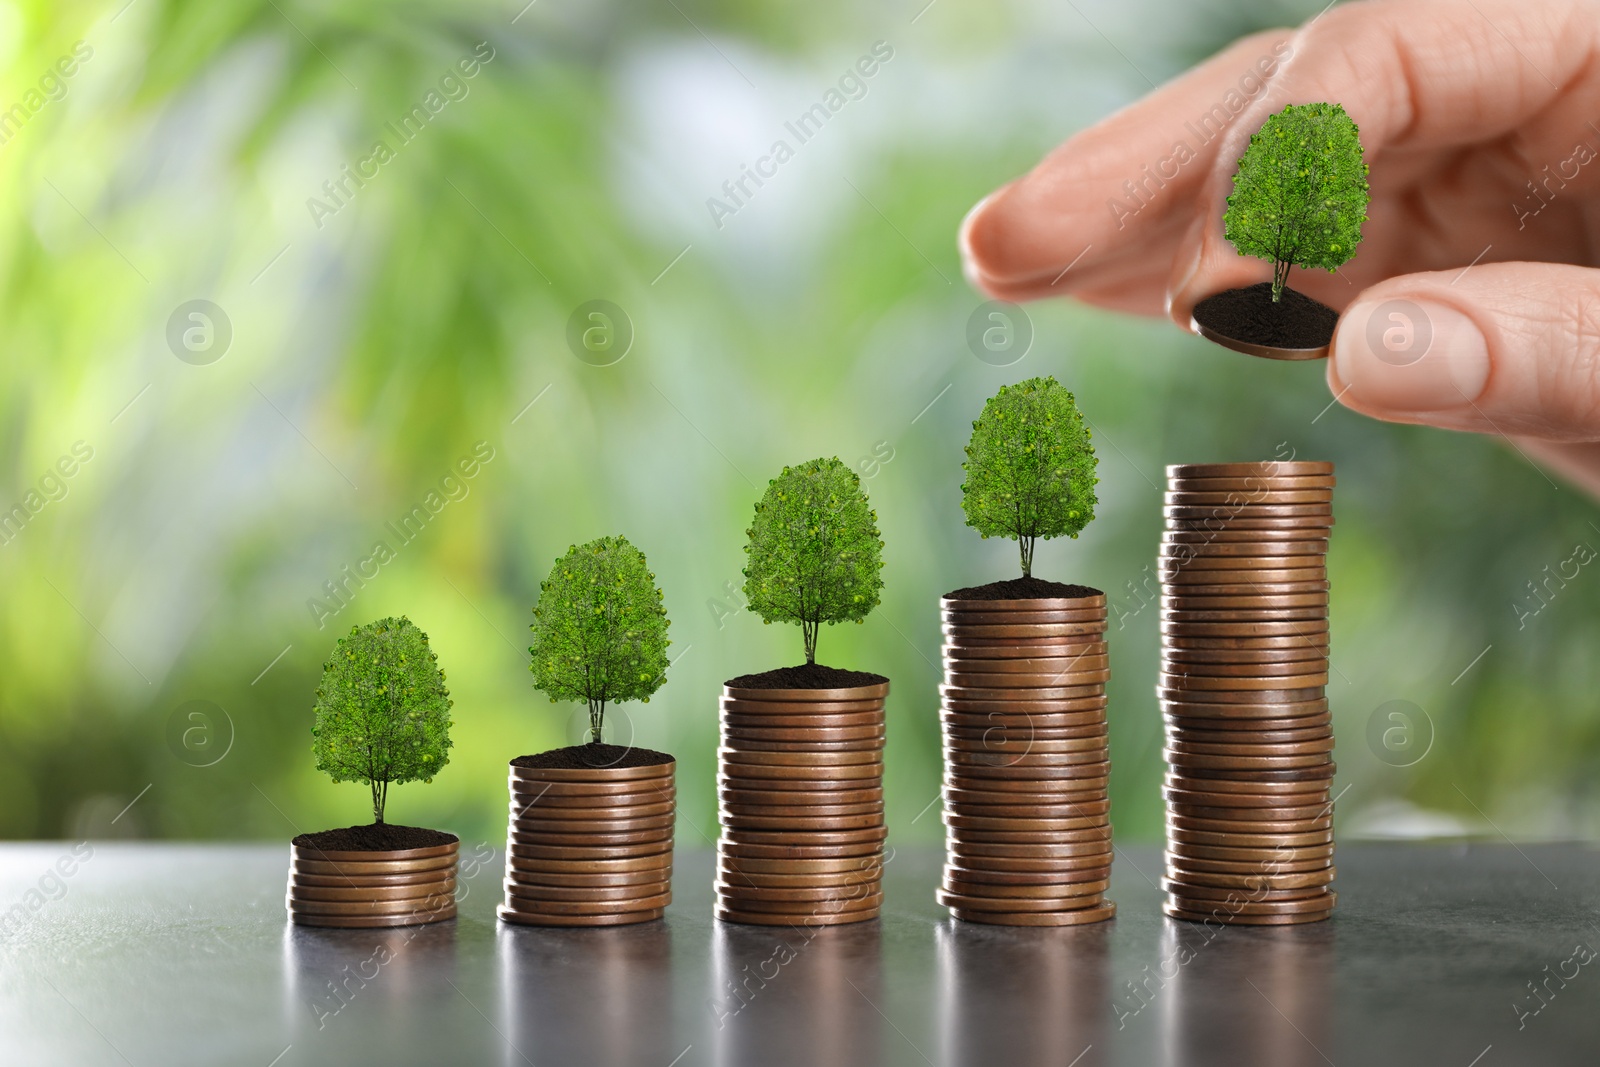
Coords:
1410,356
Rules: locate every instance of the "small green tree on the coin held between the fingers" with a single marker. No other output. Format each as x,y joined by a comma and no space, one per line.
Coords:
1300,196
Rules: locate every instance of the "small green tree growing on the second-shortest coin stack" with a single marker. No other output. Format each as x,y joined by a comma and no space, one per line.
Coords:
601,629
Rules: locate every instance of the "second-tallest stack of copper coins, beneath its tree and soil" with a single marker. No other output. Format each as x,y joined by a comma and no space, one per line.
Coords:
1026,764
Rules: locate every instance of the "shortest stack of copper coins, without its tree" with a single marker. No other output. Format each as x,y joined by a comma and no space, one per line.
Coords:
398,889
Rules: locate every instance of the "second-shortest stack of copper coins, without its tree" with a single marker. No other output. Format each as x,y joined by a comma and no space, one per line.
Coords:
590,847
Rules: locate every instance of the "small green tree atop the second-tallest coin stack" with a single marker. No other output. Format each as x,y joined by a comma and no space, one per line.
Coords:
1030,468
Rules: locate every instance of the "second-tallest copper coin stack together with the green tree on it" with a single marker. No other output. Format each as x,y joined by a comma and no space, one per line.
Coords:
1023,705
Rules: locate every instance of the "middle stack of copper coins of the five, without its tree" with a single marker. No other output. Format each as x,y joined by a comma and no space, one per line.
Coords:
801,799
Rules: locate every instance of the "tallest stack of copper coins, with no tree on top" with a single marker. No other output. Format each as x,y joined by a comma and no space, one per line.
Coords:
1244,693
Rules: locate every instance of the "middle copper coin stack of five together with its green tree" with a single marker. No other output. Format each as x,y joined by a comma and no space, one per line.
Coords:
801,769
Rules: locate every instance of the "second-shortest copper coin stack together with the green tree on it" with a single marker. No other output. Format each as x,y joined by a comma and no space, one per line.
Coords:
590,839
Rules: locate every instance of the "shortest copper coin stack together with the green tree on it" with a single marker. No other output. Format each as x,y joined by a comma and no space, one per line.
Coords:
382,717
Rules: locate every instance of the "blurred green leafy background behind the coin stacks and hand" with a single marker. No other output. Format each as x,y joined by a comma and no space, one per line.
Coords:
391,332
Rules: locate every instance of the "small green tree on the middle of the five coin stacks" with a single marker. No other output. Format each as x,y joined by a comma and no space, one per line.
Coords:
815,553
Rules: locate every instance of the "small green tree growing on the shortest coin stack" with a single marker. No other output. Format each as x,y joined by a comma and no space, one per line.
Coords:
383,711
